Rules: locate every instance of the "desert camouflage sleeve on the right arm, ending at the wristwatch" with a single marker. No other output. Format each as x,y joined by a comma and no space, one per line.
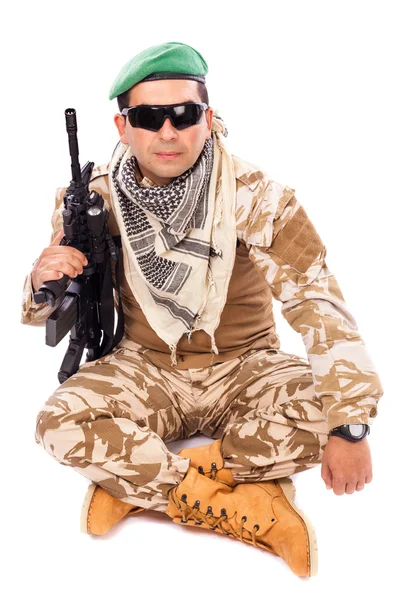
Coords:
285,245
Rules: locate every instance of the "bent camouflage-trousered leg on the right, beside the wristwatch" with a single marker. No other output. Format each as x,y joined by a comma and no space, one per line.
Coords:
272,424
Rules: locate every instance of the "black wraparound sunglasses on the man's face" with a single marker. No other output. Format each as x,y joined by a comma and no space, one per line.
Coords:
150,117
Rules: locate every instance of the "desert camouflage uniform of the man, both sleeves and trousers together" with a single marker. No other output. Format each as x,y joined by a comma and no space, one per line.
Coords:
273,411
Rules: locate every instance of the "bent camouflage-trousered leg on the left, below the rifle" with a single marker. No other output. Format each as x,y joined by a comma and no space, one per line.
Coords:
110,421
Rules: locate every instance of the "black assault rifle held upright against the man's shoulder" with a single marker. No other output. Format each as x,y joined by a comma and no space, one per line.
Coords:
85,303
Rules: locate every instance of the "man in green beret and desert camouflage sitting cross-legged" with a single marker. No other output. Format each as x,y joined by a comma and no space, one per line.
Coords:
207,240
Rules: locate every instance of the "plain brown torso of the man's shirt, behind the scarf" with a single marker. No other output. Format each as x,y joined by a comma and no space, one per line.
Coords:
246,321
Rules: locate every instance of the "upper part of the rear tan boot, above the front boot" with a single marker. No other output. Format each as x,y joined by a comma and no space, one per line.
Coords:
207,459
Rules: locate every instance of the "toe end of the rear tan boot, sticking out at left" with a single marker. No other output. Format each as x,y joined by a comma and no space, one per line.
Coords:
101,511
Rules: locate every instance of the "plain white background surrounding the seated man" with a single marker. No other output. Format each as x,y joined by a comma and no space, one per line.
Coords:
309,92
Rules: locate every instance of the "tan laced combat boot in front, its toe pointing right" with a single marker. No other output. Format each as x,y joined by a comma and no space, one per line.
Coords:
262,514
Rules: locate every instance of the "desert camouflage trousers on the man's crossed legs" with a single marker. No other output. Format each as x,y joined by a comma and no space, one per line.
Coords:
111,420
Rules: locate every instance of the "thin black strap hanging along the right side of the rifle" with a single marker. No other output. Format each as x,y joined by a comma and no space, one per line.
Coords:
107,307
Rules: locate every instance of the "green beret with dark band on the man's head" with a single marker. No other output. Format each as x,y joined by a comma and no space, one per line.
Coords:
165,61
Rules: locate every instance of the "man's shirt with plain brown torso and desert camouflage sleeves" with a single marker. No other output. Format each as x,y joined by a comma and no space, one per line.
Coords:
280,255
